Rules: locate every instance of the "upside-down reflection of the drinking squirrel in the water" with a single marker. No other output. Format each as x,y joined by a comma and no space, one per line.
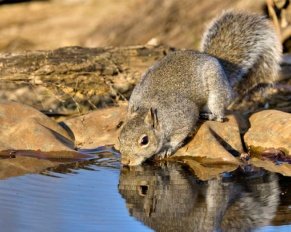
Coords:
170,198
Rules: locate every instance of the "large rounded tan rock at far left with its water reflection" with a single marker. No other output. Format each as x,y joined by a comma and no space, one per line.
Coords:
30,142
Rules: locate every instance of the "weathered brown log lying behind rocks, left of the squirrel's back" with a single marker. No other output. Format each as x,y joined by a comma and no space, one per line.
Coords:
74,77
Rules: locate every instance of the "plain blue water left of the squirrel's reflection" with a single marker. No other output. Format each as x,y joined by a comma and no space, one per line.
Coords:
86,201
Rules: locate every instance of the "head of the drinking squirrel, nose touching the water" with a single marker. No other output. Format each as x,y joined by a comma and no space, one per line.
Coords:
139,137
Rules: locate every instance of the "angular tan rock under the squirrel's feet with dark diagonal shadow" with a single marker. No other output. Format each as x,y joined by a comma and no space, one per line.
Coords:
216,141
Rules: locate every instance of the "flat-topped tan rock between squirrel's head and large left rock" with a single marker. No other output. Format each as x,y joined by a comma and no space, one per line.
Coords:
97,128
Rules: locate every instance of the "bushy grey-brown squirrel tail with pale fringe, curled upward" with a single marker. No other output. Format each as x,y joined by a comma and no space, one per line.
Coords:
247,46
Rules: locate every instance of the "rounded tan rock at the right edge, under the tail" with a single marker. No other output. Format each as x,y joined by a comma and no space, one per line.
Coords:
269,129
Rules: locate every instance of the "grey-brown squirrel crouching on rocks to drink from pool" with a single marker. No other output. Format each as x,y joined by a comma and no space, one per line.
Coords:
239,50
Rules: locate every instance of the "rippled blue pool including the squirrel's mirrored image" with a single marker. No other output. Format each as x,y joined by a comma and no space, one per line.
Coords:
166,197
